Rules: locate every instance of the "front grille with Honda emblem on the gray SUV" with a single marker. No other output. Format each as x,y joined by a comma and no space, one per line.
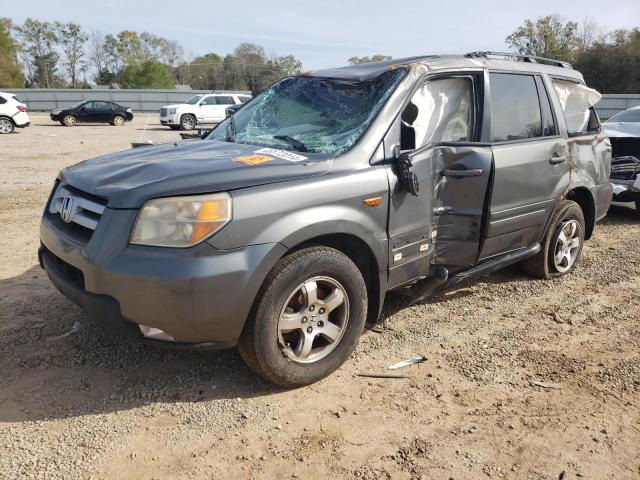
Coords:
76,209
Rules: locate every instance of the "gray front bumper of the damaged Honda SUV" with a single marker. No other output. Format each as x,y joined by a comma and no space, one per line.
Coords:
198,295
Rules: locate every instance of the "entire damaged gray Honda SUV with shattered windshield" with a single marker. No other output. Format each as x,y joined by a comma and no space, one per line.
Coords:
282,231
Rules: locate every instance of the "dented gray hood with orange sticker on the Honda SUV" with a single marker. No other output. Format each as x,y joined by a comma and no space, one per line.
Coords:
127,179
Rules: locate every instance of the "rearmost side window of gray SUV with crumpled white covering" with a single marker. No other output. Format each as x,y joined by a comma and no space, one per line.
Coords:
577,103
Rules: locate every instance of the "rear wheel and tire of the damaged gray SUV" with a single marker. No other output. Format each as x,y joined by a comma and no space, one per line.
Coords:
561,245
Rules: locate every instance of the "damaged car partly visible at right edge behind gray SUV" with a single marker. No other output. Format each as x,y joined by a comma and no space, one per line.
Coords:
624,133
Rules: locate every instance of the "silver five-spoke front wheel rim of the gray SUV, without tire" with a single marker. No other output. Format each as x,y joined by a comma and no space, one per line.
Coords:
313,320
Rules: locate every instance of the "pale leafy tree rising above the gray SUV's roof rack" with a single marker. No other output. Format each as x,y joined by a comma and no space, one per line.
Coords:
546,37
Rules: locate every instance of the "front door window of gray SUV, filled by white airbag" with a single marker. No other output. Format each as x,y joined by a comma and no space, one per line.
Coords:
441,110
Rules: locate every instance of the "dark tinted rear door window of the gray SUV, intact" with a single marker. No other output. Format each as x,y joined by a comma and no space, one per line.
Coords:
515,109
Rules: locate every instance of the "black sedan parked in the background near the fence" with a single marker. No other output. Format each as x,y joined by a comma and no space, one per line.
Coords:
93,111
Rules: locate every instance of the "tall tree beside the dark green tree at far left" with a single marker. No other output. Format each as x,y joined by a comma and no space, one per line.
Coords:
39,43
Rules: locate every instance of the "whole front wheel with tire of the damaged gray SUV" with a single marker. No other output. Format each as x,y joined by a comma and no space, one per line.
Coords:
308,318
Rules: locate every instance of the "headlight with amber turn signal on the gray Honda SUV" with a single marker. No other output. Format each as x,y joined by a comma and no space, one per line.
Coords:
181,221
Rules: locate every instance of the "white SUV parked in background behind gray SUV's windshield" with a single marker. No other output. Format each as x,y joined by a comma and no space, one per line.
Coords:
202,108
